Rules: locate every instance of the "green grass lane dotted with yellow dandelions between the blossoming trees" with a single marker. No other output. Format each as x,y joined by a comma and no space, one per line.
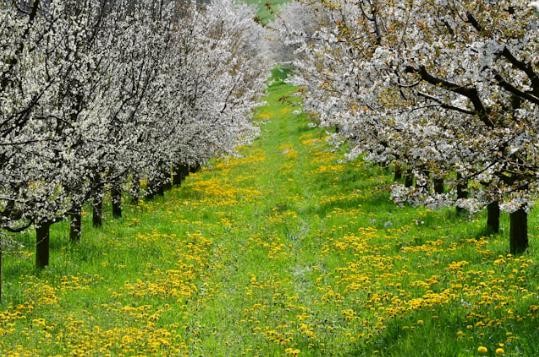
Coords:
284,250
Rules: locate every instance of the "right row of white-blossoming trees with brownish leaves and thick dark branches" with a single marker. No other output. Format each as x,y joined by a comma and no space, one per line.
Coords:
447,92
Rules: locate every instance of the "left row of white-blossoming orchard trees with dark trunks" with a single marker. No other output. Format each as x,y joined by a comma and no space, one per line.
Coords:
95,95
